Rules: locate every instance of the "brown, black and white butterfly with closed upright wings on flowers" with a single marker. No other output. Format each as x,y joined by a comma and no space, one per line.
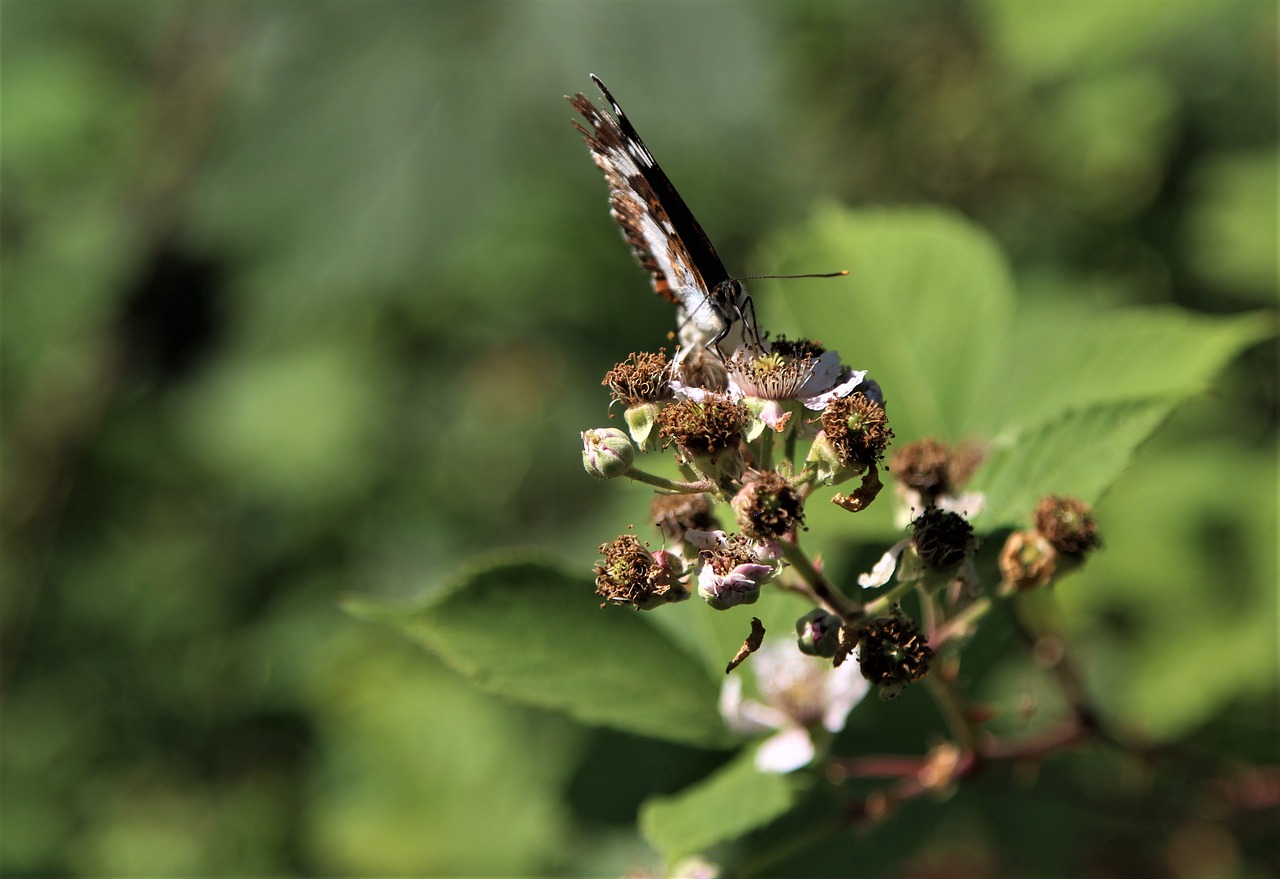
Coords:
664,235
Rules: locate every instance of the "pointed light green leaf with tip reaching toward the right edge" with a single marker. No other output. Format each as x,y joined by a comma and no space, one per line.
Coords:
1084,391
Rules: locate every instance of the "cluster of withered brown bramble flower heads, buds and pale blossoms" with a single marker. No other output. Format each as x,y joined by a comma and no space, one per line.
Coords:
752,437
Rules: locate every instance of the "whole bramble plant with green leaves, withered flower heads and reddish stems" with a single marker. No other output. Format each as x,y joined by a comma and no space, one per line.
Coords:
747,608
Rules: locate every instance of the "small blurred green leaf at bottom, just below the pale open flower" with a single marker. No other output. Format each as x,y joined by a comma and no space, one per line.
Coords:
735,800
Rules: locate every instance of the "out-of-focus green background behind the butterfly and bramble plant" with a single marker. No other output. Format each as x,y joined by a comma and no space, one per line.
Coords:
305,299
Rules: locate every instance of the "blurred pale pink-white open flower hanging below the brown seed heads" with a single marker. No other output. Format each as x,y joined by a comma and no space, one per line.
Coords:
799,695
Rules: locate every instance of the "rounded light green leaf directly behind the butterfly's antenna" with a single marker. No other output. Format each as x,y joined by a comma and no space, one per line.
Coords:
926,308
